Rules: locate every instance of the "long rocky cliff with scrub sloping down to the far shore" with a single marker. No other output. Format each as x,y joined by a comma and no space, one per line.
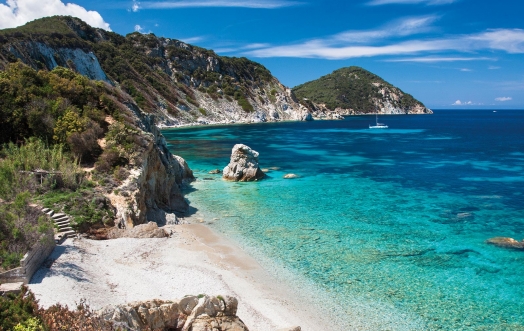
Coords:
179,83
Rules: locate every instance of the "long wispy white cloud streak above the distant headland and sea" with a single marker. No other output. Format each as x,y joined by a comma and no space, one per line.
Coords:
352,44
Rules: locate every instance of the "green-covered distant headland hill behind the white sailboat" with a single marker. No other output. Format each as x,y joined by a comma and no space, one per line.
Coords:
354,88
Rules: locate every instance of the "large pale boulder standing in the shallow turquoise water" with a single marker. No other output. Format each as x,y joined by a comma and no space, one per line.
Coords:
243,166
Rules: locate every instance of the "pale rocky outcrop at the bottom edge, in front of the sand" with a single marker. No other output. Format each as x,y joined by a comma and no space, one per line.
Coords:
192,313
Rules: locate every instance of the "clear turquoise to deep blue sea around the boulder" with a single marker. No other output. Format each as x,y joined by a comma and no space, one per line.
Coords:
391,223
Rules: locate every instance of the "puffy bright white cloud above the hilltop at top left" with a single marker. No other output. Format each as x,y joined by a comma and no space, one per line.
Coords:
18,12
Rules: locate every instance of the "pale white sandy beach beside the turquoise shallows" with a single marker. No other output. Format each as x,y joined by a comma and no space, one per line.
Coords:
194,260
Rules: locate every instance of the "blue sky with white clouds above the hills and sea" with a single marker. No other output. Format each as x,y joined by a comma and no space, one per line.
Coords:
446,53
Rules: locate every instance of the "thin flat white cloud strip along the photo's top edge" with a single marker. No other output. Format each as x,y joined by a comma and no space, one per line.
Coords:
265,4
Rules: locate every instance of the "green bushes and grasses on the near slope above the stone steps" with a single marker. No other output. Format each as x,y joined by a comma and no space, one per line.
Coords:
57,119
